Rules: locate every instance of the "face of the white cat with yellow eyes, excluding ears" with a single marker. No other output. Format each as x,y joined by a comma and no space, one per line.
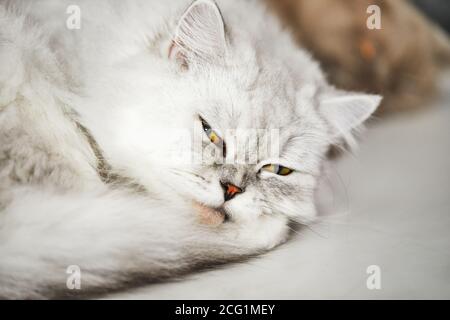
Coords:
259,152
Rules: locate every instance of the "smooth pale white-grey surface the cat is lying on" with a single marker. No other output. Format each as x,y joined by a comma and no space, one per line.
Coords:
388,205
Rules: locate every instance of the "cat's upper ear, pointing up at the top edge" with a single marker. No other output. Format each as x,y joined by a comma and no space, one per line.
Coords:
199,35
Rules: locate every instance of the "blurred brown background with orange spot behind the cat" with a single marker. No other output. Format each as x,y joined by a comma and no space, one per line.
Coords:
402,61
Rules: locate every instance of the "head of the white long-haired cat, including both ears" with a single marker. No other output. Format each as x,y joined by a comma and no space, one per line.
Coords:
265,123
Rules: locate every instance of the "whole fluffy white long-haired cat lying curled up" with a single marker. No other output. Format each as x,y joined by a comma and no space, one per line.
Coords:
90,119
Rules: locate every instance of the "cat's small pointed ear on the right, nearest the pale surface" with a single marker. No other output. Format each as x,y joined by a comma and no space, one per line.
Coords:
345,111
